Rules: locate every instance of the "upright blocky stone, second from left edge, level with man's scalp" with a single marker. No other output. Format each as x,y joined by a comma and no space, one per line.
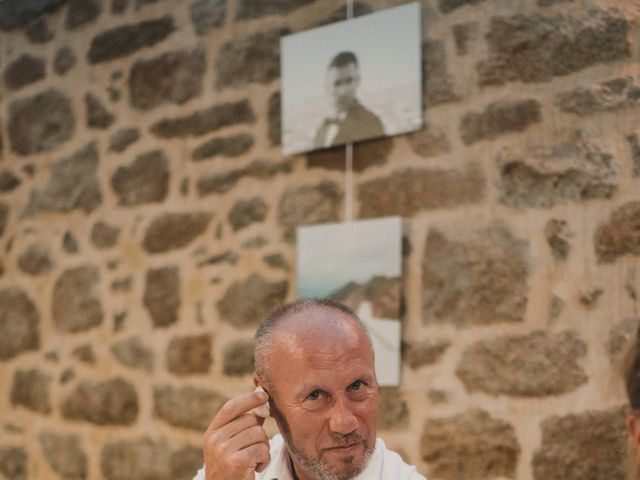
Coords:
76,305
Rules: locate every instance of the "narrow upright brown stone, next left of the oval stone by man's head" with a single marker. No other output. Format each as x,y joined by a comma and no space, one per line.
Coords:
162,295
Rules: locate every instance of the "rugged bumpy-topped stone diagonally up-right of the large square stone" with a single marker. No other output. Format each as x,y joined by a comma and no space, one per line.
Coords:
542,176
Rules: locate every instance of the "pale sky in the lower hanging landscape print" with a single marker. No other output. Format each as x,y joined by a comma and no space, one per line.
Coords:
331,255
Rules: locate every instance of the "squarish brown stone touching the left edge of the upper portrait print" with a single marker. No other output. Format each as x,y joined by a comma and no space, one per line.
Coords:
254,59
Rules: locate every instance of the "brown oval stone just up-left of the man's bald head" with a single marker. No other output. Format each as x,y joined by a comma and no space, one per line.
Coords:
247,302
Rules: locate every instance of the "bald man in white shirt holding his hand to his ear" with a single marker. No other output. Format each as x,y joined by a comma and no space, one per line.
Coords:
314,361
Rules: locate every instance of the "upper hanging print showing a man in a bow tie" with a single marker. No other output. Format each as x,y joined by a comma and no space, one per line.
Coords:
352,80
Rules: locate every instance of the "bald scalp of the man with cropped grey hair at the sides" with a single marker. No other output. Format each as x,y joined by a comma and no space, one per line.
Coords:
303,320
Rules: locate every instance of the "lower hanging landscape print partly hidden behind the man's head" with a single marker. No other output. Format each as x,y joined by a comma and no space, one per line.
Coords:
359,264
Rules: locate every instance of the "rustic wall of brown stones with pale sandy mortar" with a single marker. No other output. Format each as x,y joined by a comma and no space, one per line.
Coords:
147,221
